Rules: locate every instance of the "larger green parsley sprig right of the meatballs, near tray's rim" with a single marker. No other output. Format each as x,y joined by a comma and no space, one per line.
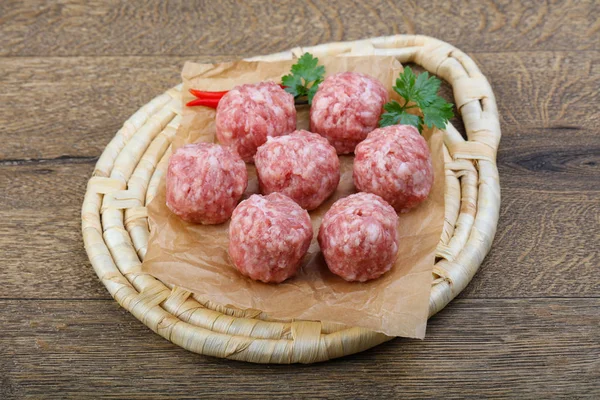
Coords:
422,91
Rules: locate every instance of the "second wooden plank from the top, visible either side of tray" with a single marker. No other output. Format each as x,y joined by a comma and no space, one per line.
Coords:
72,107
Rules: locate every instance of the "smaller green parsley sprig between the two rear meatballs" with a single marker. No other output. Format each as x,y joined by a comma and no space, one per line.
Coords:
305,77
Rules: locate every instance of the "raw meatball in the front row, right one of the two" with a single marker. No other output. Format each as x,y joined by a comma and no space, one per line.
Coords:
358,237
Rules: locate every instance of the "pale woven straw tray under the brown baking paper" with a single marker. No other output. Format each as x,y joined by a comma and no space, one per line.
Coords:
126,177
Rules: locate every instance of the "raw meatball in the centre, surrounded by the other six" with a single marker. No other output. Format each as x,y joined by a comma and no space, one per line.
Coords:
302,165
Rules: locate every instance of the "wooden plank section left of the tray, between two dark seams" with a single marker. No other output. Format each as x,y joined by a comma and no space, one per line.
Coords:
40,233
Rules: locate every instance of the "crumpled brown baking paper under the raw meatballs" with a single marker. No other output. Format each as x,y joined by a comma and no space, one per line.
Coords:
195,257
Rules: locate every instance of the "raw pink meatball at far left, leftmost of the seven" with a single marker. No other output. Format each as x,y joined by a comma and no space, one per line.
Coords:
204,183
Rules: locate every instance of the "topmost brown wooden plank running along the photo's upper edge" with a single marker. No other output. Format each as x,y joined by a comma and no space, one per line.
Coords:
38,28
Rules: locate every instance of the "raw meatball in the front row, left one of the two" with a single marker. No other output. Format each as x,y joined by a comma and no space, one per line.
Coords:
268,236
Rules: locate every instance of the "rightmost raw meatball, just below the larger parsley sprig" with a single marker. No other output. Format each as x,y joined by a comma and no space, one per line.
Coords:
394,162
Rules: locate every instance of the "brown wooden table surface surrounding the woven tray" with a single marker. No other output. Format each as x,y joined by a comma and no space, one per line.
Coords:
526,326
